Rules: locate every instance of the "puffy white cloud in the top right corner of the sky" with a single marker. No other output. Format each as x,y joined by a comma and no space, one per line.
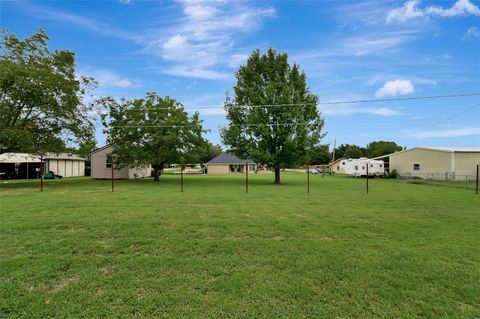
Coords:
410,10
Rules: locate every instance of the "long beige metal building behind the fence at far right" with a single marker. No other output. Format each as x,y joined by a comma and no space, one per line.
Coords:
452,163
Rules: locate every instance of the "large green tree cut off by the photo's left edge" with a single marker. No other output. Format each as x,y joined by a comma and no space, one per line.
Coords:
41,97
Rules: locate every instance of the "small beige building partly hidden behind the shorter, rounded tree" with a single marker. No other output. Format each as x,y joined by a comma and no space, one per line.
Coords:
101,163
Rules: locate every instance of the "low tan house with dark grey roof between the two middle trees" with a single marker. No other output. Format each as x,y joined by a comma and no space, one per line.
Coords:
227,163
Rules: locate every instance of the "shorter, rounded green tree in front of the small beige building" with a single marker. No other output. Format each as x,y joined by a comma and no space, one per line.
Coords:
152,131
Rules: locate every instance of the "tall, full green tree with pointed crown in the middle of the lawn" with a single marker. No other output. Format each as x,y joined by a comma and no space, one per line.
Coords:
273,116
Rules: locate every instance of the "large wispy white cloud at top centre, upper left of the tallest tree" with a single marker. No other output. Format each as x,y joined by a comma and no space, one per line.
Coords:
206,36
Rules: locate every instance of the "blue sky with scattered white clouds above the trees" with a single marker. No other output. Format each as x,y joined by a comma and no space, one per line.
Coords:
350,50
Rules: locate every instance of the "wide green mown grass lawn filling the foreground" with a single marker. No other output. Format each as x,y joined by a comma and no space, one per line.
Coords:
147,250
